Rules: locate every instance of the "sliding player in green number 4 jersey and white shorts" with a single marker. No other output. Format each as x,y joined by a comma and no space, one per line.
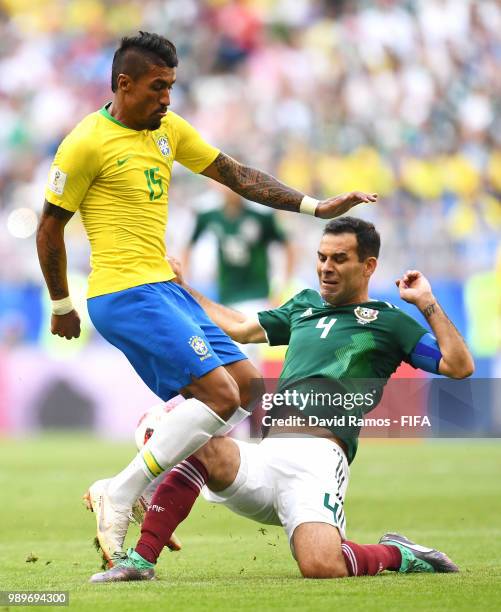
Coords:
299,481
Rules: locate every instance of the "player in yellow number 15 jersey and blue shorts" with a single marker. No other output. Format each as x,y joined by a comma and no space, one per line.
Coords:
115,167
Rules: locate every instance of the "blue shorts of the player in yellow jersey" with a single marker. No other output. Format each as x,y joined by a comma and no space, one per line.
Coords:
164,333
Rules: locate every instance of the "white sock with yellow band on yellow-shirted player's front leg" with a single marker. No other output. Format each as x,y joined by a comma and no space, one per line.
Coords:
182,432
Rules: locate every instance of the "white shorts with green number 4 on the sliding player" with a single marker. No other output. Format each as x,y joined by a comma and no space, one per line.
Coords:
288,481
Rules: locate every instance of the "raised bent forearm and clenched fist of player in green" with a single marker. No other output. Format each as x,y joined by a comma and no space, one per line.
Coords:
456,361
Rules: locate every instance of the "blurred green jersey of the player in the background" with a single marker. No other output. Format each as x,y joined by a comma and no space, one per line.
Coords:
243,243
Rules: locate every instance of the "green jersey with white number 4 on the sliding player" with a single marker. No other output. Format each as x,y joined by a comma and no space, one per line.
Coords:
346,349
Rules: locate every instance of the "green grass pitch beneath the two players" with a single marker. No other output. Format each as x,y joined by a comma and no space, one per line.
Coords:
447,494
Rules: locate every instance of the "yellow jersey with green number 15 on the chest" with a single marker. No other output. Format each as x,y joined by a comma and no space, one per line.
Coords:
119,179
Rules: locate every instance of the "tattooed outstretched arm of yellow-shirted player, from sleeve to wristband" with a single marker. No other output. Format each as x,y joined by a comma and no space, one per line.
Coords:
256,185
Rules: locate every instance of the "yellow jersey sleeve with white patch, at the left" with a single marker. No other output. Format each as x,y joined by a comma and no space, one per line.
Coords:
75,166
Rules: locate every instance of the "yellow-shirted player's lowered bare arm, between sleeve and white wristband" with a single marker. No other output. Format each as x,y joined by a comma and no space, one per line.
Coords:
51,249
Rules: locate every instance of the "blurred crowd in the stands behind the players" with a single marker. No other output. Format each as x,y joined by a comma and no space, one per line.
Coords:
402,98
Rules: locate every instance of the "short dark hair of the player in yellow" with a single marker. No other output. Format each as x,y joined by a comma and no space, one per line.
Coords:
136,53
